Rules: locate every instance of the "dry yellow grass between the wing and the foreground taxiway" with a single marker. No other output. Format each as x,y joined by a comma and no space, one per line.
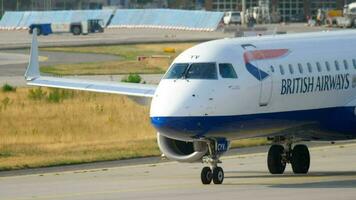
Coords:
38,129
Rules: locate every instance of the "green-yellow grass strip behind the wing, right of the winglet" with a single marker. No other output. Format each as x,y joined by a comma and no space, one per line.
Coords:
127,62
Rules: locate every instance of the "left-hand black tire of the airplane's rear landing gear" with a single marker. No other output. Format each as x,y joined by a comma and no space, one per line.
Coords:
275,162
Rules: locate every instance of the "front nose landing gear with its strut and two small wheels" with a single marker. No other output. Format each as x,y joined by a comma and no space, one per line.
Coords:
212,173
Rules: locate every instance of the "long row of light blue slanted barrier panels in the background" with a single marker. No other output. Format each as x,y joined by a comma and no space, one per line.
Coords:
123,18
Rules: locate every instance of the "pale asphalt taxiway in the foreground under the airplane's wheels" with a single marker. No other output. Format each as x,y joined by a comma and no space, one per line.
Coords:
332,176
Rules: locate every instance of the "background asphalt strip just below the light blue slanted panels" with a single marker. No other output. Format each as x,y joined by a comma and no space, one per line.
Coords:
21,38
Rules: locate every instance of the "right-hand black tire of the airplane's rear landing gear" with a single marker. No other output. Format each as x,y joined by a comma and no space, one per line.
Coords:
300,159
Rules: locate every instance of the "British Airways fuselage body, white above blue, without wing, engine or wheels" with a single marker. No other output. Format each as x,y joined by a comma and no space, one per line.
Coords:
308,73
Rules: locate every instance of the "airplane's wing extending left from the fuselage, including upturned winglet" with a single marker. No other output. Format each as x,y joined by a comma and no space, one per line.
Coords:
33,77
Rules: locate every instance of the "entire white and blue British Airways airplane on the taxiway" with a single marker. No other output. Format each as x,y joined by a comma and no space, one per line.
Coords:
288,88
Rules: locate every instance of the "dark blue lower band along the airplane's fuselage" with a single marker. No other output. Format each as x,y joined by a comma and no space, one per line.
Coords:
341,119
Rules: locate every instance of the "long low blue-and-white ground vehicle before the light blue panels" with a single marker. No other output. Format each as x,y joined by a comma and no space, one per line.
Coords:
76,28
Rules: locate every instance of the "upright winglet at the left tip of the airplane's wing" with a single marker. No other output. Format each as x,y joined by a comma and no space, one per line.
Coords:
33,71
